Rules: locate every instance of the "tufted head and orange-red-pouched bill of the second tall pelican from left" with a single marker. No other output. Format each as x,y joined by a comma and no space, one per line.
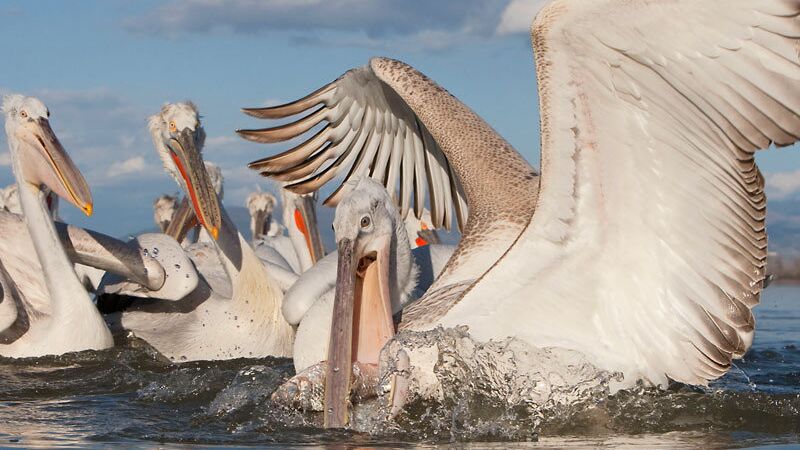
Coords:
179,137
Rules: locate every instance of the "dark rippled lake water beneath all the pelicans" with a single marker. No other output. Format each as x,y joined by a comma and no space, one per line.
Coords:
129,395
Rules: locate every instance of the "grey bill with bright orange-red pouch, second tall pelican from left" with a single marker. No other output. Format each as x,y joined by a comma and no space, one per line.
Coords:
198,186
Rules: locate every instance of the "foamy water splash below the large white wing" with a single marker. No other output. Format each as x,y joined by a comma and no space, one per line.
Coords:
461,389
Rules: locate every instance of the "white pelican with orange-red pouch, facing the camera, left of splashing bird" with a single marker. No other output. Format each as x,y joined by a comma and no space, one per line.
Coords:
235,311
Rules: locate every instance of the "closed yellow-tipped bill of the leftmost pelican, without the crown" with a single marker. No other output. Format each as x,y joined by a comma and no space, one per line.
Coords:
50,165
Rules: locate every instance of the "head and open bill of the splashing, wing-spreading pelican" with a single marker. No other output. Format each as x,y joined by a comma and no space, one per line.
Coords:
366,226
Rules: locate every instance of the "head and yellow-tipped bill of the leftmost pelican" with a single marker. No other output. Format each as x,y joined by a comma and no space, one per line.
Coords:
39,155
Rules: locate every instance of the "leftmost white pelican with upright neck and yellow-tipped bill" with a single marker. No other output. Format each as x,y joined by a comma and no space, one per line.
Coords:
53,315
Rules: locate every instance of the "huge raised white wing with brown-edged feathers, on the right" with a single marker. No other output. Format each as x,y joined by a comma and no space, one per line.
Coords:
649,232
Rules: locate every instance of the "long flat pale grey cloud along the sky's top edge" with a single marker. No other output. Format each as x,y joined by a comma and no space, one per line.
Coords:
424,23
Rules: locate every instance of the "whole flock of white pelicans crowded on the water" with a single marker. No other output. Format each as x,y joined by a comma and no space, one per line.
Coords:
641,243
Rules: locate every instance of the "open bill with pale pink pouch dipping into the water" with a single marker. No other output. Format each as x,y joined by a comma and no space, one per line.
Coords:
361,324
